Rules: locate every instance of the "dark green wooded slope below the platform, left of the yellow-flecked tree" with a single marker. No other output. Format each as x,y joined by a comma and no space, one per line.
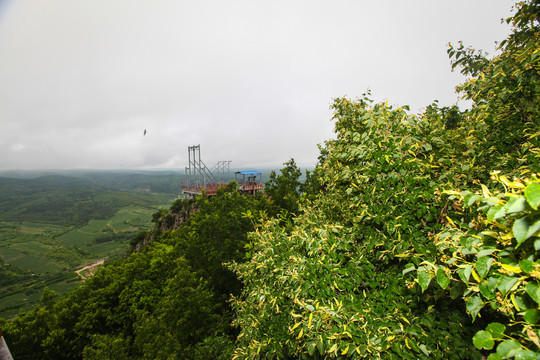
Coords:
168,301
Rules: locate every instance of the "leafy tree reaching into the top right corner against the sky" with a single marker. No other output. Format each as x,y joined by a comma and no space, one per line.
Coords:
505,92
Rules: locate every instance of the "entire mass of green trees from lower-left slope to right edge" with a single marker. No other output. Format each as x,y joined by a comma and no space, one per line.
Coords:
416,237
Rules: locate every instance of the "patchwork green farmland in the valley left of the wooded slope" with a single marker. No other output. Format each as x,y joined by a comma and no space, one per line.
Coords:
41,249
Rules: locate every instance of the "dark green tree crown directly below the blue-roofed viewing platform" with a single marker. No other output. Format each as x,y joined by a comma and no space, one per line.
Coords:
217,234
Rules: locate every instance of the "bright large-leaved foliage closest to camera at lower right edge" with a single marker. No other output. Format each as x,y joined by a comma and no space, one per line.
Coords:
492,260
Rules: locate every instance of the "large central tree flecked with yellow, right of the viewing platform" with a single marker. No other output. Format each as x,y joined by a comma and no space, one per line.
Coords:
331,284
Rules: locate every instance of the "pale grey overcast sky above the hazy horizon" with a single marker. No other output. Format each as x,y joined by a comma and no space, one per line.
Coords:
250,81
